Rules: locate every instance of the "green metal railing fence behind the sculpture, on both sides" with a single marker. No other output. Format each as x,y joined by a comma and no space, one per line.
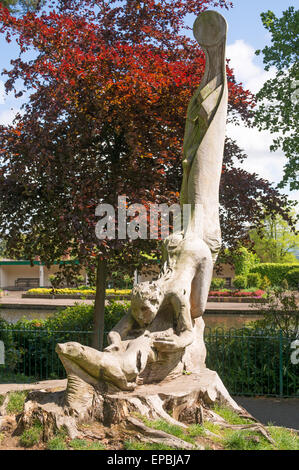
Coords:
249,362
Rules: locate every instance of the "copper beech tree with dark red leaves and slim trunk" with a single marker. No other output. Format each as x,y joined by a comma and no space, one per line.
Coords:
109,86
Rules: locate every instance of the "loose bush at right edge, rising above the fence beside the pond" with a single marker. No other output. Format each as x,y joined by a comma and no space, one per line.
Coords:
280,311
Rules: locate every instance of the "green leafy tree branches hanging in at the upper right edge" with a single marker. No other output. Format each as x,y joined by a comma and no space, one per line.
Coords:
278,99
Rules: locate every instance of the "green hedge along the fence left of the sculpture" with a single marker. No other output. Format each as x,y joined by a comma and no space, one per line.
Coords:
33,341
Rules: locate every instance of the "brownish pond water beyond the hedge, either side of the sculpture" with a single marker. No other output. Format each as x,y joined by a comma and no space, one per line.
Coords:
224,320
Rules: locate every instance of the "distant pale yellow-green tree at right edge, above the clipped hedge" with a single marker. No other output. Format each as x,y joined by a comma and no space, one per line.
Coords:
275,241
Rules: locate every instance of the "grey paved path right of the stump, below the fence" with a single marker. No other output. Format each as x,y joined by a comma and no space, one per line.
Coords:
278,411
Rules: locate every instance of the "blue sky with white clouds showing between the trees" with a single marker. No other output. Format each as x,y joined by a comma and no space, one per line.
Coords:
246,33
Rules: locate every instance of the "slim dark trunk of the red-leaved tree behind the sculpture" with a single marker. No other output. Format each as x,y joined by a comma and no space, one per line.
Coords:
99,306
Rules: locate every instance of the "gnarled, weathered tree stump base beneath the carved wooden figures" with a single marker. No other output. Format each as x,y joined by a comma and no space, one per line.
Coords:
181,401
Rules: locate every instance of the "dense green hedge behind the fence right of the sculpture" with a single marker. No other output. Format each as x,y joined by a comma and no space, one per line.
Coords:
250,360
